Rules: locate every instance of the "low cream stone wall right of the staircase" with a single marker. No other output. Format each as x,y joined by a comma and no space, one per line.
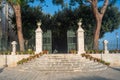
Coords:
114,59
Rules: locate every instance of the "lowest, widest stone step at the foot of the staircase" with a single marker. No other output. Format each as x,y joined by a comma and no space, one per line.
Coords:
82,69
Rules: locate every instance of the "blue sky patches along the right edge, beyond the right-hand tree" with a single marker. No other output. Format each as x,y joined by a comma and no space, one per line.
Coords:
111,37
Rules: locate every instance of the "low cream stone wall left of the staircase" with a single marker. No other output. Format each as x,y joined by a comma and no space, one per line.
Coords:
11,60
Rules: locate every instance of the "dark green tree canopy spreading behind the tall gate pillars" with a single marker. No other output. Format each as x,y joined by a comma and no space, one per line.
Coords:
67,19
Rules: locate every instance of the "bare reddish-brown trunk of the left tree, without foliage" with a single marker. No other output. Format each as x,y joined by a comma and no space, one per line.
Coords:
17,11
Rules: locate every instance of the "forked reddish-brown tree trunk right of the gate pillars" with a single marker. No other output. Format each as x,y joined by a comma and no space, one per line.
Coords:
98,16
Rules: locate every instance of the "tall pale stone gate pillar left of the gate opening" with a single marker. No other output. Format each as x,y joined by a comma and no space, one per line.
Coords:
38,39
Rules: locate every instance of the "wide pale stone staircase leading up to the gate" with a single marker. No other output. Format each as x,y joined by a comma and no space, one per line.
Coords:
62,62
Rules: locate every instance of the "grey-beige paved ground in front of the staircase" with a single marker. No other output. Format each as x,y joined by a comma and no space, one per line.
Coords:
16,74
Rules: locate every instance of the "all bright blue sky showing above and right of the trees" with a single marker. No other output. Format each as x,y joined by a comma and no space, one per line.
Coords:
110,36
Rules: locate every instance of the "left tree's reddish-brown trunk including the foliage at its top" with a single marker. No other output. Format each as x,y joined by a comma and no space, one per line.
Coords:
17,10
